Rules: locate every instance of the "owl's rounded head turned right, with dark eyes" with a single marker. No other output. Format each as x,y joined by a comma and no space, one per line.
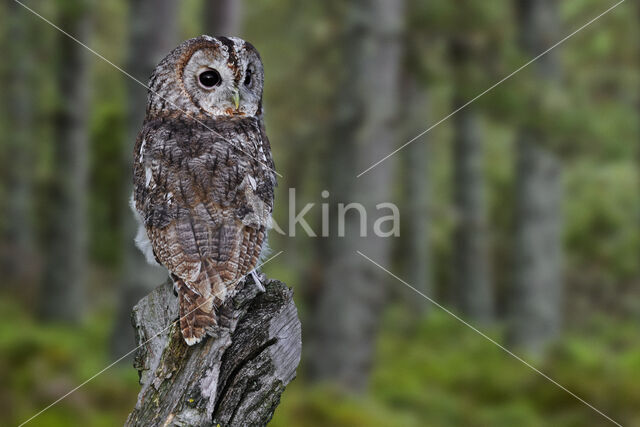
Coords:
210,76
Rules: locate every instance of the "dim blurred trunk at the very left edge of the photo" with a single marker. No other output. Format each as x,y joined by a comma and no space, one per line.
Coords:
18,239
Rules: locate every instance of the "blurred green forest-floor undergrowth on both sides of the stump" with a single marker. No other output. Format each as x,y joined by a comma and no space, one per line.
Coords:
432,371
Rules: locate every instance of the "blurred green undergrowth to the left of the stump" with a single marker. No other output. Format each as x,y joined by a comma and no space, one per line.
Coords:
39,363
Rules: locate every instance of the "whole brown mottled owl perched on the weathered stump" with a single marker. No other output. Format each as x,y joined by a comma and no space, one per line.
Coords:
204,176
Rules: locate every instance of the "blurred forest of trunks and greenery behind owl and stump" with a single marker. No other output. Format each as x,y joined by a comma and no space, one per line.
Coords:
520,213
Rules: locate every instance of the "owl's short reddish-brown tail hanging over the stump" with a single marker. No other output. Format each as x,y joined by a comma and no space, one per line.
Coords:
197,313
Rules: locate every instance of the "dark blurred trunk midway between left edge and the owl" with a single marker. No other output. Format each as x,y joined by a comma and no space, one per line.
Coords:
63,287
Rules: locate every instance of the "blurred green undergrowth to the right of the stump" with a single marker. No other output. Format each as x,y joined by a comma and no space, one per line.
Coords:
437,372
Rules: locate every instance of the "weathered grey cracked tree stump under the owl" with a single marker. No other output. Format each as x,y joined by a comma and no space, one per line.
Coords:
233,378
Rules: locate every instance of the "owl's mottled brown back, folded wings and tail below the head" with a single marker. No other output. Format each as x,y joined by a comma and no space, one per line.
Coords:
205,194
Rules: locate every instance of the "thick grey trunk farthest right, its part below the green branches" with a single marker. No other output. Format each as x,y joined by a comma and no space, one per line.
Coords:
537,291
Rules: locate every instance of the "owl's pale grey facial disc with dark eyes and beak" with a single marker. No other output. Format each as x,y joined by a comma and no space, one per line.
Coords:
223,80
